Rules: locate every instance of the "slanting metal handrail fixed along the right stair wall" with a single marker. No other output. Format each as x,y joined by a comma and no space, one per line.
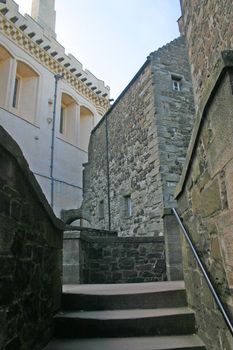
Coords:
210,285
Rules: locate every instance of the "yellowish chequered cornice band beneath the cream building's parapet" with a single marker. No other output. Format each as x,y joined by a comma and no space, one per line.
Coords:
44,58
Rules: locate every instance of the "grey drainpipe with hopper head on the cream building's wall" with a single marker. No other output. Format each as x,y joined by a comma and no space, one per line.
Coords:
57,78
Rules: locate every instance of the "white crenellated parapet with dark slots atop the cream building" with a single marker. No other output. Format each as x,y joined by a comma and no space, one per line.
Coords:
45,39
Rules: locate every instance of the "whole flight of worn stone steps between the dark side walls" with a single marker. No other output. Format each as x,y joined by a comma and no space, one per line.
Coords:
143,316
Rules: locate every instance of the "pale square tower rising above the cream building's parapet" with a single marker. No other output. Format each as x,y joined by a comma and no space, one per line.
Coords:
43,11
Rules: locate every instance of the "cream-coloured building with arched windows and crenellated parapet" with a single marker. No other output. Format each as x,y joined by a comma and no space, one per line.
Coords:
48,102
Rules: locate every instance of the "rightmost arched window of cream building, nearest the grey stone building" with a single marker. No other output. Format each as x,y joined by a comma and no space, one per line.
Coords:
86,125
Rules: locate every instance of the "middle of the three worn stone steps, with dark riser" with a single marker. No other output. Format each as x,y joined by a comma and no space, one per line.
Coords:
125,323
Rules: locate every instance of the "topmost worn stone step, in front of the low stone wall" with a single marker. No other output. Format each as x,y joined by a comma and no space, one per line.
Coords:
124,296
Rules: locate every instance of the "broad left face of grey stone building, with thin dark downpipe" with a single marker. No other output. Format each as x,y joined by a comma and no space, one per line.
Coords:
131,160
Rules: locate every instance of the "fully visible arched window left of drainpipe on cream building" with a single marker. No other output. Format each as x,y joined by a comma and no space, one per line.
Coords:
25,91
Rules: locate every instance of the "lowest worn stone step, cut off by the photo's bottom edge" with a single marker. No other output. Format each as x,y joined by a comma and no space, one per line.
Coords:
190,342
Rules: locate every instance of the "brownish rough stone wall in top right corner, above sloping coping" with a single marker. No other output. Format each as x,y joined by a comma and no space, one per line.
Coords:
208,28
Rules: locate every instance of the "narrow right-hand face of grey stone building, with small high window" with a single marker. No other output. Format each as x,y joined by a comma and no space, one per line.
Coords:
174,113
